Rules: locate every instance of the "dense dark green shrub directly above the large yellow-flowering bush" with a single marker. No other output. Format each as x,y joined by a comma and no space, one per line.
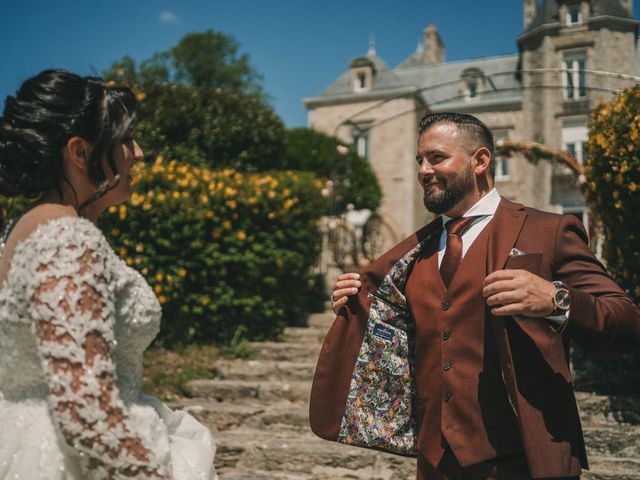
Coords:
210,127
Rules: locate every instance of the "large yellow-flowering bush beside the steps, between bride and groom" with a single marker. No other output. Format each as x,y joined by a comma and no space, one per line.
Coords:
220,248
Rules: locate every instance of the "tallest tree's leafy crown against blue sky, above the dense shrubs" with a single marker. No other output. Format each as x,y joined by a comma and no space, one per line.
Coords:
201,59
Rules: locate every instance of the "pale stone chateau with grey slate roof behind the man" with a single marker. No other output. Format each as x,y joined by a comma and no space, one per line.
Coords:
571,54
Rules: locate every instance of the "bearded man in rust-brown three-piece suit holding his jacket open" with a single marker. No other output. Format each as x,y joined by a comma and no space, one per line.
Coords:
495,295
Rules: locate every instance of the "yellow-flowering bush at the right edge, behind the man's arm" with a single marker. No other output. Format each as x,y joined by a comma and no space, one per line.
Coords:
613,176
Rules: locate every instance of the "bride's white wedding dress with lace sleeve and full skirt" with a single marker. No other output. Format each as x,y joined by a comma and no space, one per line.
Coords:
74,323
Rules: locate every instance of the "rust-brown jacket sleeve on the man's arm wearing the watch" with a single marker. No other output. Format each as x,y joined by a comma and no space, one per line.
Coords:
602,316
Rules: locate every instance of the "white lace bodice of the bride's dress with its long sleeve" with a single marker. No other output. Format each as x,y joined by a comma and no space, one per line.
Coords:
74,323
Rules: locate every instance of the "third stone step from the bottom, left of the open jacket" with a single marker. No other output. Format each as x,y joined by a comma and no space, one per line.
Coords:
249,391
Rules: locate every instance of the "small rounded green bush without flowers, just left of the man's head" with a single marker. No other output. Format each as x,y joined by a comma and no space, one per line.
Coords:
353,178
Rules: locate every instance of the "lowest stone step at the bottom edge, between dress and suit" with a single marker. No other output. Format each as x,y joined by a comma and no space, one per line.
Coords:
306,456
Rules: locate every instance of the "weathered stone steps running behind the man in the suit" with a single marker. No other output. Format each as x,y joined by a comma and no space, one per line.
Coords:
257,411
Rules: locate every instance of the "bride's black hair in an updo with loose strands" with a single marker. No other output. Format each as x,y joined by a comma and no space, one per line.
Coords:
47,111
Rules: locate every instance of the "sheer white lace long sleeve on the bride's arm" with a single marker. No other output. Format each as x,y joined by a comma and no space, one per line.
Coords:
70,284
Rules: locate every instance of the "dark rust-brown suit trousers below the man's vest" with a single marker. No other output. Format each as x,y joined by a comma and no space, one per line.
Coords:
511,467
